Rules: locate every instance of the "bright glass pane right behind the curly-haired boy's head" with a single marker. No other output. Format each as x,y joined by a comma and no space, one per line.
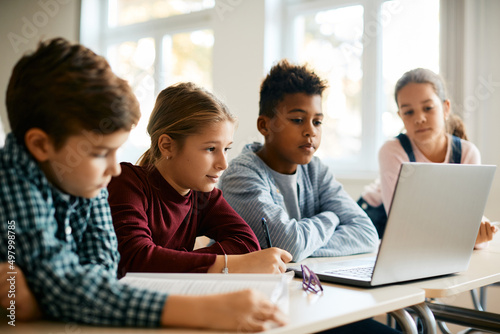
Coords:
330,41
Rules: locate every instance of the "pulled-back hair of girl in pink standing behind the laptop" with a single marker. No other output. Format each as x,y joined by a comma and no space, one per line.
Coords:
454,124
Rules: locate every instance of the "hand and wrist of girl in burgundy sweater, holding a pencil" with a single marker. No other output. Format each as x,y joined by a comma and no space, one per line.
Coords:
270,261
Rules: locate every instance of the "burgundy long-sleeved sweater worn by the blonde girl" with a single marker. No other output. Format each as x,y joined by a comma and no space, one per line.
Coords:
157,227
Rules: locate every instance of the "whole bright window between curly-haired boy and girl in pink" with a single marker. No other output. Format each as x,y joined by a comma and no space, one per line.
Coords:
361,48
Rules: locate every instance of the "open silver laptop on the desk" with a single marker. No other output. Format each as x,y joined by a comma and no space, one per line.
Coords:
431,227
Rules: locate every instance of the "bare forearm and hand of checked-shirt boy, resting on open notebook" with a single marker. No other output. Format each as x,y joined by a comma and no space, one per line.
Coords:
242,311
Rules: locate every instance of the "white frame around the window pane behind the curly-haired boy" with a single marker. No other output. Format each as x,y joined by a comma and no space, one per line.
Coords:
364,164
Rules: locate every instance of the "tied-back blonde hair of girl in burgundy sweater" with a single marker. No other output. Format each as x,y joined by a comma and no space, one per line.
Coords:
182,110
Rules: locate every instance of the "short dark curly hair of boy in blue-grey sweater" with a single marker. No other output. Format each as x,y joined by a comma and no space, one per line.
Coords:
286,78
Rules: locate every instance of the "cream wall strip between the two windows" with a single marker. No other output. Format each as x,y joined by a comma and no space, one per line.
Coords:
239,65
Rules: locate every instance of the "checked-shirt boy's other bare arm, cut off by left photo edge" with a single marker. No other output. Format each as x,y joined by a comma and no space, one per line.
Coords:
26,307
